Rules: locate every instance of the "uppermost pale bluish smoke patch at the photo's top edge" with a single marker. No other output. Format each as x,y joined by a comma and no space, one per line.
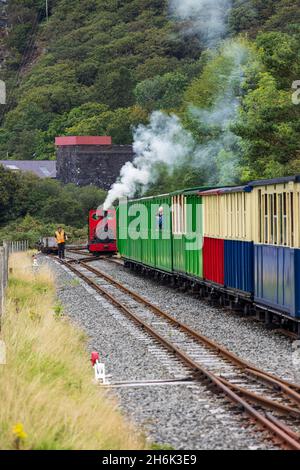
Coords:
206,18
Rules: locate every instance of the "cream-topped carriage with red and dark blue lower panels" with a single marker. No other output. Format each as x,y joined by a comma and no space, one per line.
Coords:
228,240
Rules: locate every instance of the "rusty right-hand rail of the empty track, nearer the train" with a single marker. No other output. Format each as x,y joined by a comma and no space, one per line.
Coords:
285,386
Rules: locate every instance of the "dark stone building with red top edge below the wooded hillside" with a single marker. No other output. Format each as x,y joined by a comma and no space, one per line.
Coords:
90,160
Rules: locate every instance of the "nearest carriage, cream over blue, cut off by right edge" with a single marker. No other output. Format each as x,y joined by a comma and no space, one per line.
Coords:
277,245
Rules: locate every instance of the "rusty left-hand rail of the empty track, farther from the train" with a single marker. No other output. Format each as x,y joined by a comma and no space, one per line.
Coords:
277,432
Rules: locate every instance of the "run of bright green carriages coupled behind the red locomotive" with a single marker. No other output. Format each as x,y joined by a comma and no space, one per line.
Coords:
163,232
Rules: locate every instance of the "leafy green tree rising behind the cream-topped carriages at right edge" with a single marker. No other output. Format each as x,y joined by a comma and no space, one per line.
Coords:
269,126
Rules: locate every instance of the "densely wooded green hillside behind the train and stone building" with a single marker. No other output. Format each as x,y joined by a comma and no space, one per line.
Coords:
102,66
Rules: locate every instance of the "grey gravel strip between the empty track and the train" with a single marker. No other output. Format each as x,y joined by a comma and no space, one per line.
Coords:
250,340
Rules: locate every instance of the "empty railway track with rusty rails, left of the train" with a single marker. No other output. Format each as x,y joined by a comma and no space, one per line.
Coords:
272,403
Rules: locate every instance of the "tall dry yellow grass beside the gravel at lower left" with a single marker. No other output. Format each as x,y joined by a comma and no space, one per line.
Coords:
47,383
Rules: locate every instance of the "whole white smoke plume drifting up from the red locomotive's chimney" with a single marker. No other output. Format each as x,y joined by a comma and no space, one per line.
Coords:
166,141
